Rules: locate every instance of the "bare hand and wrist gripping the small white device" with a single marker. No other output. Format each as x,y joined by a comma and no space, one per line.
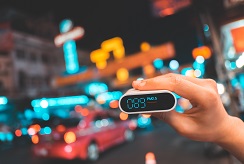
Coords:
207,120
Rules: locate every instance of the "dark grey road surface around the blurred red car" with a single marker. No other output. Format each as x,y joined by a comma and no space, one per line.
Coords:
163,141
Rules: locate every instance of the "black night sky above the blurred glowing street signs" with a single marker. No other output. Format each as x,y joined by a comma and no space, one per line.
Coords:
132,20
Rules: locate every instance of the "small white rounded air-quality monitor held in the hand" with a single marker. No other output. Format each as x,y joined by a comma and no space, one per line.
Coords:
135,101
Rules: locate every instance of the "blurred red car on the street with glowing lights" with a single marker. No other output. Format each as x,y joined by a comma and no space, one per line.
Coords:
83,137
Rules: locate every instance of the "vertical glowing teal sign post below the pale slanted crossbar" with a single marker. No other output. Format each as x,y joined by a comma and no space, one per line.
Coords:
71,57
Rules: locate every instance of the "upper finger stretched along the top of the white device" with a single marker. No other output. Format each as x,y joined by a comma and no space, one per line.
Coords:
178,84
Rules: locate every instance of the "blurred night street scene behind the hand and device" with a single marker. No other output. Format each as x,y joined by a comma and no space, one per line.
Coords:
64,66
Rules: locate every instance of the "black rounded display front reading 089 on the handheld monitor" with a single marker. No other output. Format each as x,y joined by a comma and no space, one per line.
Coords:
147,102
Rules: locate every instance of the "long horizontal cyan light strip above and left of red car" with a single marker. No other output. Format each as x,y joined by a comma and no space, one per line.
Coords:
60,101
